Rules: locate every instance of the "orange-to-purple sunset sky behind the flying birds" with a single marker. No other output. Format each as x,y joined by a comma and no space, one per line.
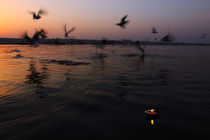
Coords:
185,19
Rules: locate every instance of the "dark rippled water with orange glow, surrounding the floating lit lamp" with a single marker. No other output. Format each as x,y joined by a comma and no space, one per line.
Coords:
79,92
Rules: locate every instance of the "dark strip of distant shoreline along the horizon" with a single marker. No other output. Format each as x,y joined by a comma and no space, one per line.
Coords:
58,41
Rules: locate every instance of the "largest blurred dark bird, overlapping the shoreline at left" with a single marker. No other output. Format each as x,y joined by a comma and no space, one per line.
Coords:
33,41
